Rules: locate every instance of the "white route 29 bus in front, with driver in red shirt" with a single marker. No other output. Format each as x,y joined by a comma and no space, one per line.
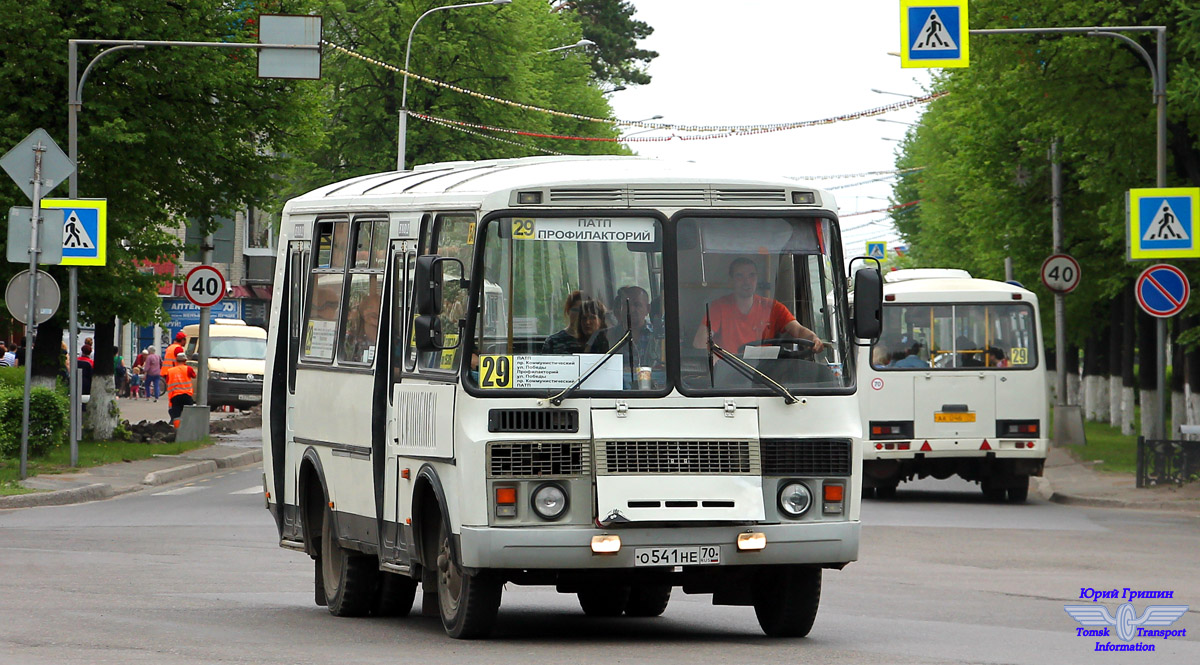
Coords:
487,373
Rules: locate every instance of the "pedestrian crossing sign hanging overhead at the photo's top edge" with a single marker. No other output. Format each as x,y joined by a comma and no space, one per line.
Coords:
934,34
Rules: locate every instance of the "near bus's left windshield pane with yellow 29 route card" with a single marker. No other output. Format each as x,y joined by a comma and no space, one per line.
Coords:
560,293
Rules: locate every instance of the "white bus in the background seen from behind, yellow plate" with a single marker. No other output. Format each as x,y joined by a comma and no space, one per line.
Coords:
956,385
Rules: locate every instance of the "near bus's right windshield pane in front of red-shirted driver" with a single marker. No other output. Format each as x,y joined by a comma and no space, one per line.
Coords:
764,291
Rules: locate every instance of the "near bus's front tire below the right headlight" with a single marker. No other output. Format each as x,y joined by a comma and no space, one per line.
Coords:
787,601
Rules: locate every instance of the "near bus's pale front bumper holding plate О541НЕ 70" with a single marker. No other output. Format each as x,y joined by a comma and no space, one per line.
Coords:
571,548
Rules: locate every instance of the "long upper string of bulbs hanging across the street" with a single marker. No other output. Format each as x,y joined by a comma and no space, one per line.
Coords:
713,131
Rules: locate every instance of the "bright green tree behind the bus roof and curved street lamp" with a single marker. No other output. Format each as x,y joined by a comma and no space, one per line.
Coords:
490,51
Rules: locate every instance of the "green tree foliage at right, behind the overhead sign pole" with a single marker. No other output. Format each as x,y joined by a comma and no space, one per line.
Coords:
986,189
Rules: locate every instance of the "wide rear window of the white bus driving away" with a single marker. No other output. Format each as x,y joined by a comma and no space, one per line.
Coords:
957,337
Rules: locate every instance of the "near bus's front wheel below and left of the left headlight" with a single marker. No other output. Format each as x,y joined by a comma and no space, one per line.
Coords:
469,603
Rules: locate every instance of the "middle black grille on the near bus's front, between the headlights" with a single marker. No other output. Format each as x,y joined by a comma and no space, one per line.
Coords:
677,457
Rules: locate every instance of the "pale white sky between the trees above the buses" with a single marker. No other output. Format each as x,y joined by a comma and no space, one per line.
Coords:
751,62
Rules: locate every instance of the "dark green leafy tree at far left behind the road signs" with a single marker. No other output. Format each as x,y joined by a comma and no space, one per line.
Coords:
164,134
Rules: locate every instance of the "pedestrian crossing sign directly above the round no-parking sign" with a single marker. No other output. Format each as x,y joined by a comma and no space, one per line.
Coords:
1162,224
